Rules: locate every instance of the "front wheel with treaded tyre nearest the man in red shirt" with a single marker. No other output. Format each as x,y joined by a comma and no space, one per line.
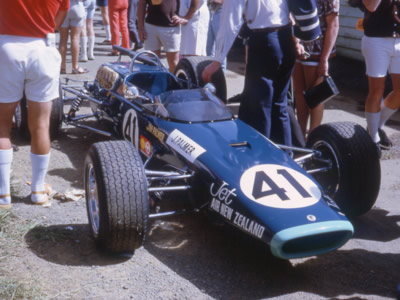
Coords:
117,200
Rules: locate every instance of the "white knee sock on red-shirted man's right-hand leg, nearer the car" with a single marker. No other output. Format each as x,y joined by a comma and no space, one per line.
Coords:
40,164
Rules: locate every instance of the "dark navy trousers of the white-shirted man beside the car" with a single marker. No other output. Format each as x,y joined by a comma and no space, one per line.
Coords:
271,57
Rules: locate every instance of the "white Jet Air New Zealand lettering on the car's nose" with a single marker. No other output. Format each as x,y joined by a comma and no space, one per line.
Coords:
222,198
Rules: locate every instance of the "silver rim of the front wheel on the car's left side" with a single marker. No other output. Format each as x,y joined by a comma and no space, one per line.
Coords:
92,200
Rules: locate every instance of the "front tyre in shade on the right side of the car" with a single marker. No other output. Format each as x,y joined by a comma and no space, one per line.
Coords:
354,176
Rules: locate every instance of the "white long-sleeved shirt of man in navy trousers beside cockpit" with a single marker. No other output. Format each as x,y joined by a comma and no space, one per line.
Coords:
259,14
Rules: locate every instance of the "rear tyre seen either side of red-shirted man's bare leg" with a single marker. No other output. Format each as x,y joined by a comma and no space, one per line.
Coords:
21,118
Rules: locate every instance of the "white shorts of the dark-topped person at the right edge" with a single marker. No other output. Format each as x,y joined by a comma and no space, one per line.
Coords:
381,55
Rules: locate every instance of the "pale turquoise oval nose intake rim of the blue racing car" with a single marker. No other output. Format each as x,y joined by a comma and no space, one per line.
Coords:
311,239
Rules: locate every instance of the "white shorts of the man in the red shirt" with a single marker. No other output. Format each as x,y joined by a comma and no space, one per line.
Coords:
31,66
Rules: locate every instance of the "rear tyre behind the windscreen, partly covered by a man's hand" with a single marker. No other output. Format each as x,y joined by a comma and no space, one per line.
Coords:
190,68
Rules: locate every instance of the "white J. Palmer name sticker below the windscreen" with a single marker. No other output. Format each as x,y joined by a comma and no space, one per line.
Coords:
184,145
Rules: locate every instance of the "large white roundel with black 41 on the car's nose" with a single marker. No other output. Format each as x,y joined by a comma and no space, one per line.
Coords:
278,186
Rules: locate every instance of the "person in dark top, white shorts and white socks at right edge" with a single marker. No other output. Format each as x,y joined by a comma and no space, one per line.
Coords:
380,46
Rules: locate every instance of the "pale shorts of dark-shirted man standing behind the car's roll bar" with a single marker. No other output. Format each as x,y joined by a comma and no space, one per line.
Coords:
167,37
